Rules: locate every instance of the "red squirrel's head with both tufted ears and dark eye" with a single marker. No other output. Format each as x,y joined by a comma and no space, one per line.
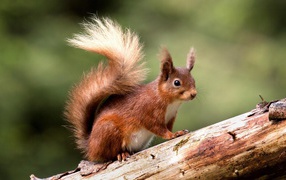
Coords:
177,83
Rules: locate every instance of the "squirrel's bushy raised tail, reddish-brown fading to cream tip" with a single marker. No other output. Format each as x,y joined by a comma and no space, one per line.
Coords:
120,75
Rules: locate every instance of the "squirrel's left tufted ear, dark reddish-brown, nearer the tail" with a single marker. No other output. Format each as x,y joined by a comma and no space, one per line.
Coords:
166,64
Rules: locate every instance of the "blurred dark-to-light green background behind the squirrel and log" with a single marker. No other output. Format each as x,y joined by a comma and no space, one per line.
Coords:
240,45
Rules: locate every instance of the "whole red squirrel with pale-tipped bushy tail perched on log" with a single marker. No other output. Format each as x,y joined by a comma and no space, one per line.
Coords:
112,113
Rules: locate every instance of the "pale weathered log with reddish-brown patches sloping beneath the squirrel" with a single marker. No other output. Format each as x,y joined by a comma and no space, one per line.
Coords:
240,147
